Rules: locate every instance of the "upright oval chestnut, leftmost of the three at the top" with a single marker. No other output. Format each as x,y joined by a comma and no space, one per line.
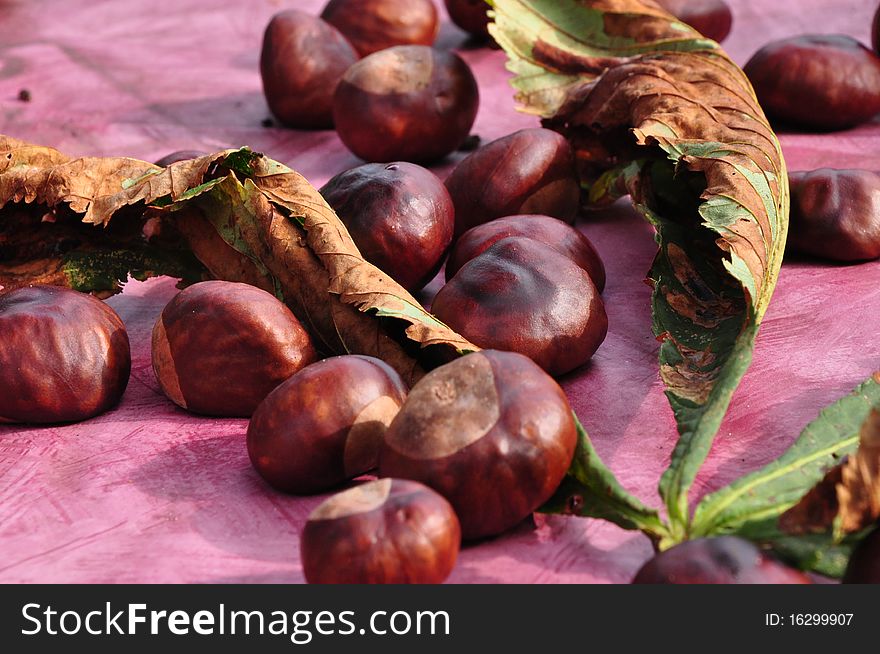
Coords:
302,61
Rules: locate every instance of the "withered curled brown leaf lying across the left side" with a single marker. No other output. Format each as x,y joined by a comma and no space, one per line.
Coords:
236,215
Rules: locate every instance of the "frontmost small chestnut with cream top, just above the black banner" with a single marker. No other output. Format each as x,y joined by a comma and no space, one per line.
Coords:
389,531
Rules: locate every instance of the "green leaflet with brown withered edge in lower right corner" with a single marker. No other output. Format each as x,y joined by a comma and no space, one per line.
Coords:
814,501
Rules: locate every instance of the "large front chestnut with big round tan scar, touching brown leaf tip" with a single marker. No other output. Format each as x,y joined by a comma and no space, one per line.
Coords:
491,432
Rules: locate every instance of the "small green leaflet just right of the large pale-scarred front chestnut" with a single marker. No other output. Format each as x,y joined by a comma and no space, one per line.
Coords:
591,490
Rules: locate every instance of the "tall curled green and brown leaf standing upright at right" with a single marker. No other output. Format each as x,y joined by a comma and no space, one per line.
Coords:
651,106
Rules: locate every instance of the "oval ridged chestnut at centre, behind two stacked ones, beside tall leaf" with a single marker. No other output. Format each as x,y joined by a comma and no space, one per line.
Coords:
531,171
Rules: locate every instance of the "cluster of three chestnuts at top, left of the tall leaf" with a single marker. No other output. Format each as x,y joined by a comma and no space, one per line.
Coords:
367,68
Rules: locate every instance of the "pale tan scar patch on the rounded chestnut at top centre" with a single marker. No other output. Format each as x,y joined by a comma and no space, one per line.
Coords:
405,71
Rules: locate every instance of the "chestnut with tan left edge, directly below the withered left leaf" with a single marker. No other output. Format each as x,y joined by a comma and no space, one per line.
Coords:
220,347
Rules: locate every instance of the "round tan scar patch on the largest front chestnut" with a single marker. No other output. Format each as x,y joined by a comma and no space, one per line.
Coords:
451,407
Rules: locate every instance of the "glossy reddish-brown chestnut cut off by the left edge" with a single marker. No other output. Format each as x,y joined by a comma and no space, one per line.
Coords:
64,355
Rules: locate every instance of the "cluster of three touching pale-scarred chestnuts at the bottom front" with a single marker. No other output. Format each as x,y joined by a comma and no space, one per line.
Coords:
470,451
